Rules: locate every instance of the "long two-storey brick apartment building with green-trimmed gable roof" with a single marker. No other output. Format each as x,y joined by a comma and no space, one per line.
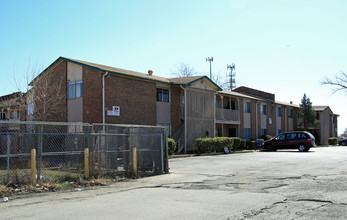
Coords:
189,107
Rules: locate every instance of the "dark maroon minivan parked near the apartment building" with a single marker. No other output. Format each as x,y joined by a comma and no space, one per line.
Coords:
301,140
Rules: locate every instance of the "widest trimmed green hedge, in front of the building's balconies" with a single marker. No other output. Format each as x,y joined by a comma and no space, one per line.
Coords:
208,145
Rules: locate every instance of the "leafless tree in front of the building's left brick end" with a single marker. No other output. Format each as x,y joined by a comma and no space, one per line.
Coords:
44,95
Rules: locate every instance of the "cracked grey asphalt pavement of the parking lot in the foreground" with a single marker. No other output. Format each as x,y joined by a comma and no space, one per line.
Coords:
259,185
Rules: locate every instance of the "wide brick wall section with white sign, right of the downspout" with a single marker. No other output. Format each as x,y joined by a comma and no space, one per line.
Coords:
136,99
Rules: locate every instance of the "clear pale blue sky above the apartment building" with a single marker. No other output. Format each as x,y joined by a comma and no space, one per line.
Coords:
282,47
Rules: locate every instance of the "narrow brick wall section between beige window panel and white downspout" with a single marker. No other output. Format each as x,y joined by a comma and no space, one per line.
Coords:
92,95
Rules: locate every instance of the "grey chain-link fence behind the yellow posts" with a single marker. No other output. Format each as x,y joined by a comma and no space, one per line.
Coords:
60,151
